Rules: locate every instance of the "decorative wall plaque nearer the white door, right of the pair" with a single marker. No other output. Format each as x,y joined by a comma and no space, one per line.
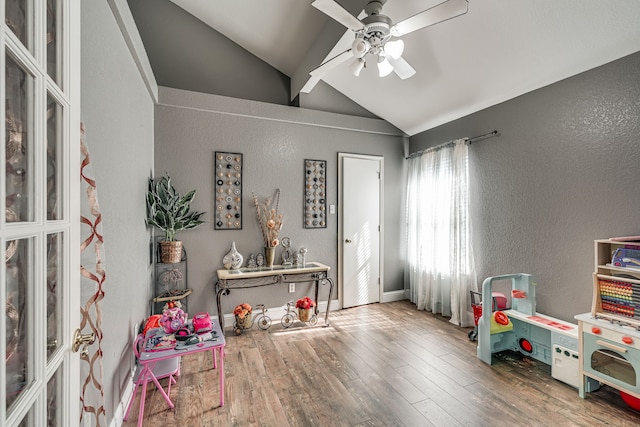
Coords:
315,194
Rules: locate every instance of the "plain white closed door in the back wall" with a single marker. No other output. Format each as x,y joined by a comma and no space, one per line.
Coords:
360,217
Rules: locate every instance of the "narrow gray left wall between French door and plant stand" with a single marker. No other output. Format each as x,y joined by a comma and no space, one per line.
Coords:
118,114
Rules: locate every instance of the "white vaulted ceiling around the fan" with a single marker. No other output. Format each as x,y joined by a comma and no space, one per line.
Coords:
498,50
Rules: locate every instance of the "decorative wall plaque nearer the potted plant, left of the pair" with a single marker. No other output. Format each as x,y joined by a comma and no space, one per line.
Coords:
228,197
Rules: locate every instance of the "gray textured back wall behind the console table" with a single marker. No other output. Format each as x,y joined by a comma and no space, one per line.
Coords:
275,140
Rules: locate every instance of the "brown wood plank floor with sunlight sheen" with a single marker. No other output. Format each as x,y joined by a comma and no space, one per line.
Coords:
376,365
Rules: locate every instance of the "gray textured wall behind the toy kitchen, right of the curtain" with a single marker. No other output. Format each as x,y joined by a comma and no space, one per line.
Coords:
562,173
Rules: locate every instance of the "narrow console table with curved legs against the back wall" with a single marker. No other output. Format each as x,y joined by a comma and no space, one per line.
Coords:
244,278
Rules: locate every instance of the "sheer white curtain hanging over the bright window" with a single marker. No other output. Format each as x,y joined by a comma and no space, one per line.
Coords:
440,256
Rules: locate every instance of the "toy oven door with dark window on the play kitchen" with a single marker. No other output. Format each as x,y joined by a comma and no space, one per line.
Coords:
612,362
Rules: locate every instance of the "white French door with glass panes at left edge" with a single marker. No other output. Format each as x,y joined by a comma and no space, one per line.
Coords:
39,226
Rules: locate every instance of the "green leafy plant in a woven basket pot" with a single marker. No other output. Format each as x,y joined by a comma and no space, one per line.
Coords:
170,212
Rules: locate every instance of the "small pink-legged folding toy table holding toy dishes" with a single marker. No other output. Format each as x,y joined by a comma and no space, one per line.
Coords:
148,359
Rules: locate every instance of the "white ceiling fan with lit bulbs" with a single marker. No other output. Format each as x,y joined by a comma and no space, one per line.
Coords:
374,33
